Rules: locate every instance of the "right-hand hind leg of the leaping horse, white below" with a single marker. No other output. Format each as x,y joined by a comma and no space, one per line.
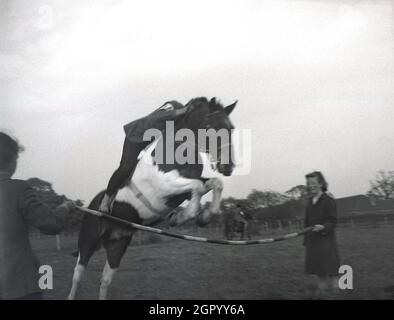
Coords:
115,251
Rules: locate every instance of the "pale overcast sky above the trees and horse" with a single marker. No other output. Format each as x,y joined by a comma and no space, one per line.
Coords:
314,80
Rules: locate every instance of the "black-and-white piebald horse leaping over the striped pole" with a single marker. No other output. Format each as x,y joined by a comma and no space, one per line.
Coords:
156,189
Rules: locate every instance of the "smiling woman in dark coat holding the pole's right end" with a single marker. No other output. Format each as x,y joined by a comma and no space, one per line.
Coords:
322,257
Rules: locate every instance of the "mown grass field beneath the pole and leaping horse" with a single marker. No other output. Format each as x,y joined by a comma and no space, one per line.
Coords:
178,269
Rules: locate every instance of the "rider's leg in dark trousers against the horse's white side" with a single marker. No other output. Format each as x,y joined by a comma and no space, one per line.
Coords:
127,165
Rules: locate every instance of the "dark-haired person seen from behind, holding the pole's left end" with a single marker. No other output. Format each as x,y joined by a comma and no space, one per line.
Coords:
19,209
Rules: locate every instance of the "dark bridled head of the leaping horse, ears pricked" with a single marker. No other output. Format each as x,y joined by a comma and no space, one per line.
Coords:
213,118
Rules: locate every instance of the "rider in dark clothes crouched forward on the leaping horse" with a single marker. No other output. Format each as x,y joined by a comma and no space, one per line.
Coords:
134,144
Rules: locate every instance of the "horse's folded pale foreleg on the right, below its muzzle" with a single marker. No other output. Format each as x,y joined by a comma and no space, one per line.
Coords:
216,185
